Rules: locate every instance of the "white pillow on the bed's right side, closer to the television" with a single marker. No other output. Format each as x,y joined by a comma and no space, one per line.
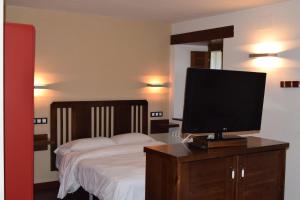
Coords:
132,138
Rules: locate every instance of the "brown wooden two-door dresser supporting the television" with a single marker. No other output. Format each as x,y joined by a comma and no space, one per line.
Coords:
253,172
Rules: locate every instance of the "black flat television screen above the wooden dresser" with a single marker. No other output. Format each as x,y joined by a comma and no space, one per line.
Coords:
219,101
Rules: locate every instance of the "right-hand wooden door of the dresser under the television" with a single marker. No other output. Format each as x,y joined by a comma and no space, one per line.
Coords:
263,176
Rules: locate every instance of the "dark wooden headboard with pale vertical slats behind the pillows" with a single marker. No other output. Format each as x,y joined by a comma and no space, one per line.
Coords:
71,120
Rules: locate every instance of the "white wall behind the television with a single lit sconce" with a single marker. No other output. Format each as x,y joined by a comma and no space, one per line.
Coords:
278,25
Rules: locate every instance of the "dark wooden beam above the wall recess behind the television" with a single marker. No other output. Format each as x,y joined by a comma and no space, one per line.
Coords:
204,35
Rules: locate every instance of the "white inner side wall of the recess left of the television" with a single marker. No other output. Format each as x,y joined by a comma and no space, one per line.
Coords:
181,59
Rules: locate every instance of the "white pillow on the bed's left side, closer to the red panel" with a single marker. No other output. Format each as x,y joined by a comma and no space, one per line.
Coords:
85,144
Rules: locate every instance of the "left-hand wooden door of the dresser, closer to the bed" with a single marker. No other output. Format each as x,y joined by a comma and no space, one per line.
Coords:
212,179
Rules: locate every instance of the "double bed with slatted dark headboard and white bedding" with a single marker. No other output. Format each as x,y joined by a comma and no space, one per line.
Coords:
111,172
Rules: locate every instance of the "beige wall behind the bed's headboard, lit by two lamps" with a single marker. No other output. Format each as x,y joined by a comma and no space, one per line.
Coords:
90,57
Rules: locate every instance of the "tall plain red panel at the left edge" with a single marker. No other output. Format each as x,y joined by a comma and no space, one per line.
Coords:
19,45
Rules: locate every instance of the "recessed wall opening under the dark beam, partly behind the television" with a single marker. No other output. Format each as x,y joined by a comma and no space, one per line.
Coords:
204,55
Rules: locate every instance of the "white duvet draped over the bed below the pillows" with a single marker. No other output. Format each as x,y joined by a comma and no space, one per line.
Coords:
110,173
